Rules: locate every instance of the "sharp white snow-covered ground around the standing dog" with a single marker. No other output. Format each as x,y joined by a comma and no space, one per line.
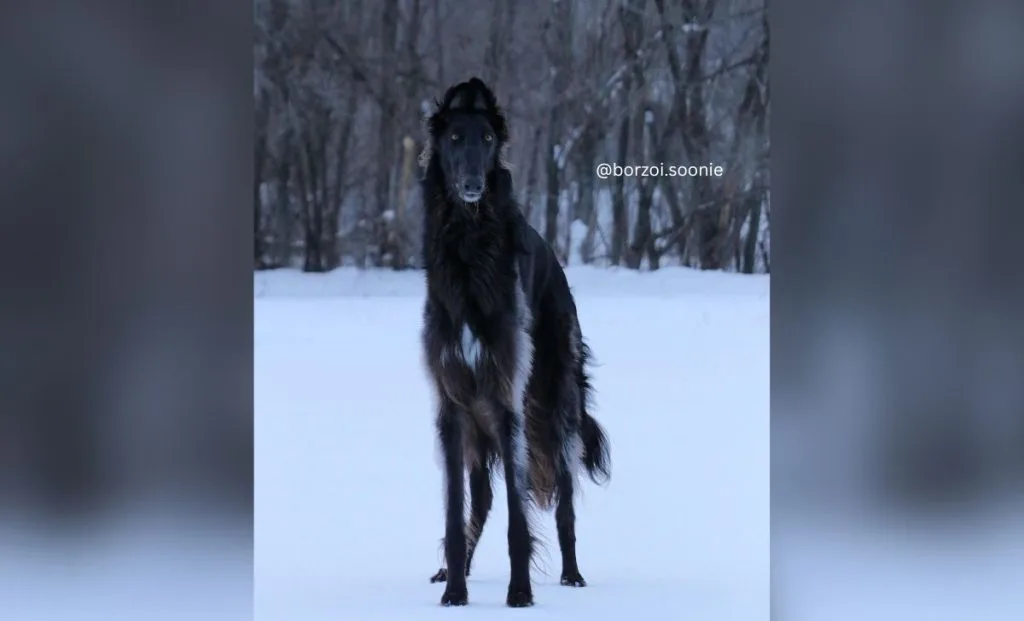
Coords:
349,508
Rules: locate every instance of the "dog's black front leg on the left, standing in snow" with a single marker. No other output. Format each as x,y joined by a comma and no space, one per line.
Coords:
450,430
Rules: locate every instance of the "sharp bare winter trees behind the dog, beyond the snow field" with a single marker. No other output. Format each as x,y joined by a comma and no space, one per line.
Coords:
342,90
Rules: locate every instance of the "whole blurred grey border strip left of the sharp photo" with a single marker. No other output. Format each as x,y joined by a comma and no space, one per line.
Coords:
126,319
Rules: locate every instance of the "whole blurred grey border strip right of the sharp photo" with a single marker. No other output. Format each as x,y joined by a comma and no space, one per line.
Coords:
898,346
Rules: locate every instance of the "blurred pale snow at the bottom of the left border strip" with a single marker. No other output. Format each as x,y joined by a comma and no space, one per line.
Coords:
162,562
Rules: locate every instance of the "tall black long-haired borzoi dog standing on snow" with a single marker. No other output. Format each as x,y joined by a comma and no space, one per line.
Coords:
503,347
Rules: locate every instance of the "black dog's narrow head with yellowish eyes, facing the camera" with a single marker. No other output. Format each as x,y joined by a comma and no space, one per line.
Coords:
467,135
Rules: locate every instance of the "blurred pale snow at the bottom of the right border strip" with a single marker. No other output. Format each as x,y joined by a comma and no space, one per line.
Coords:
844,564
